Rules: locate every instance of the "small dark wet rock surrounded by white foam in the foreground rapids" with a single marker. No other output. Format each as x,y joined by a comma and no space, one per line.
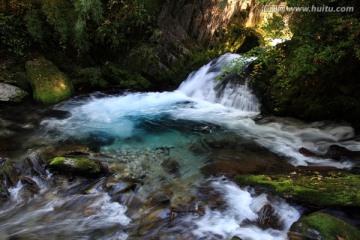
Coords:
268,218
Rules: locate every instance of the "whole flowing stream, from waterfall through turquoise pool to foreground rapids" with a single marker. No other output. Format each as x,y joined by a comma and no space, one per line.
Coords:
159,143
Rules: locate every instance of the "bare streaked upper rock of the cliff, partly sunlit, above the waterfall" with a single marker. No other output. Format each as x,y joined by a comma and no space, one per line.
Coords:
189,25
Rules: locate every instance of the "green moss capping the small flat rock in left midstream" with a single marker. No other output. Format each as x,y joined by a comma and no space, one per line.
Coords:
82,166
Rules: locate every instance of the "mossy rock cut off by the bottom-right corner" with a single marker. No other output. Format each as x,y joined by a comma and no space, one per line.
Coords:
322,226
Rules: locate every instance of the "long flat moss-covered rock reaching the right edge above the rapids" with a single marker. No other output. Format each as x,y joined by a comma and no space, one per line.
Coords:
327,189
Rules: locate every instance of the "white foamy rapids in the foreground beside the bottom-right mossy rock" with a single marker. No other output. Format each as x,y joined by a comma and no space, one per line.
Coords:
241,207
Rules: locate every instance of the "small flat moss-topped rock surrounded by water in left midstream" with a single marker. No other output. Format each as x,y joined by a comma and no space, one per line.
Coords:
78,166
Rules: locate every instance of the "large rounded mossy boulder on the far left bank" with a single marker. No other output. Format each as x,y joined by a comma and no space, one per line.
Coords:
49,84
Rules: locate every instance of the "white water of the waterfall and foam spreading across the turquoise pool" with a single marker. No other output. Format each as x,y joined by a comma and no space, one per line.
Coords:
198,100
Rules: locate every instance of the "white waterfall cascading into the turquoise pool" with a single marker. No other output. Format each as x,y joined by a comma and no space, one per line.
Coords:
233,91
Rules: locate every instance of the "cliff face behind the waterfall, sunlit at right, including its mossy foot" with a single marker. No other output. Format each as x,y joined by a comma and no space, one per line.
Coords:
192,27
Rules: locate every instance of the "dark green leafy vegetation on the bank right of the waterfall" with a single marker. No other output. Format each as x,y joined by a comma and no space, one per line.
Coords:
314,75
